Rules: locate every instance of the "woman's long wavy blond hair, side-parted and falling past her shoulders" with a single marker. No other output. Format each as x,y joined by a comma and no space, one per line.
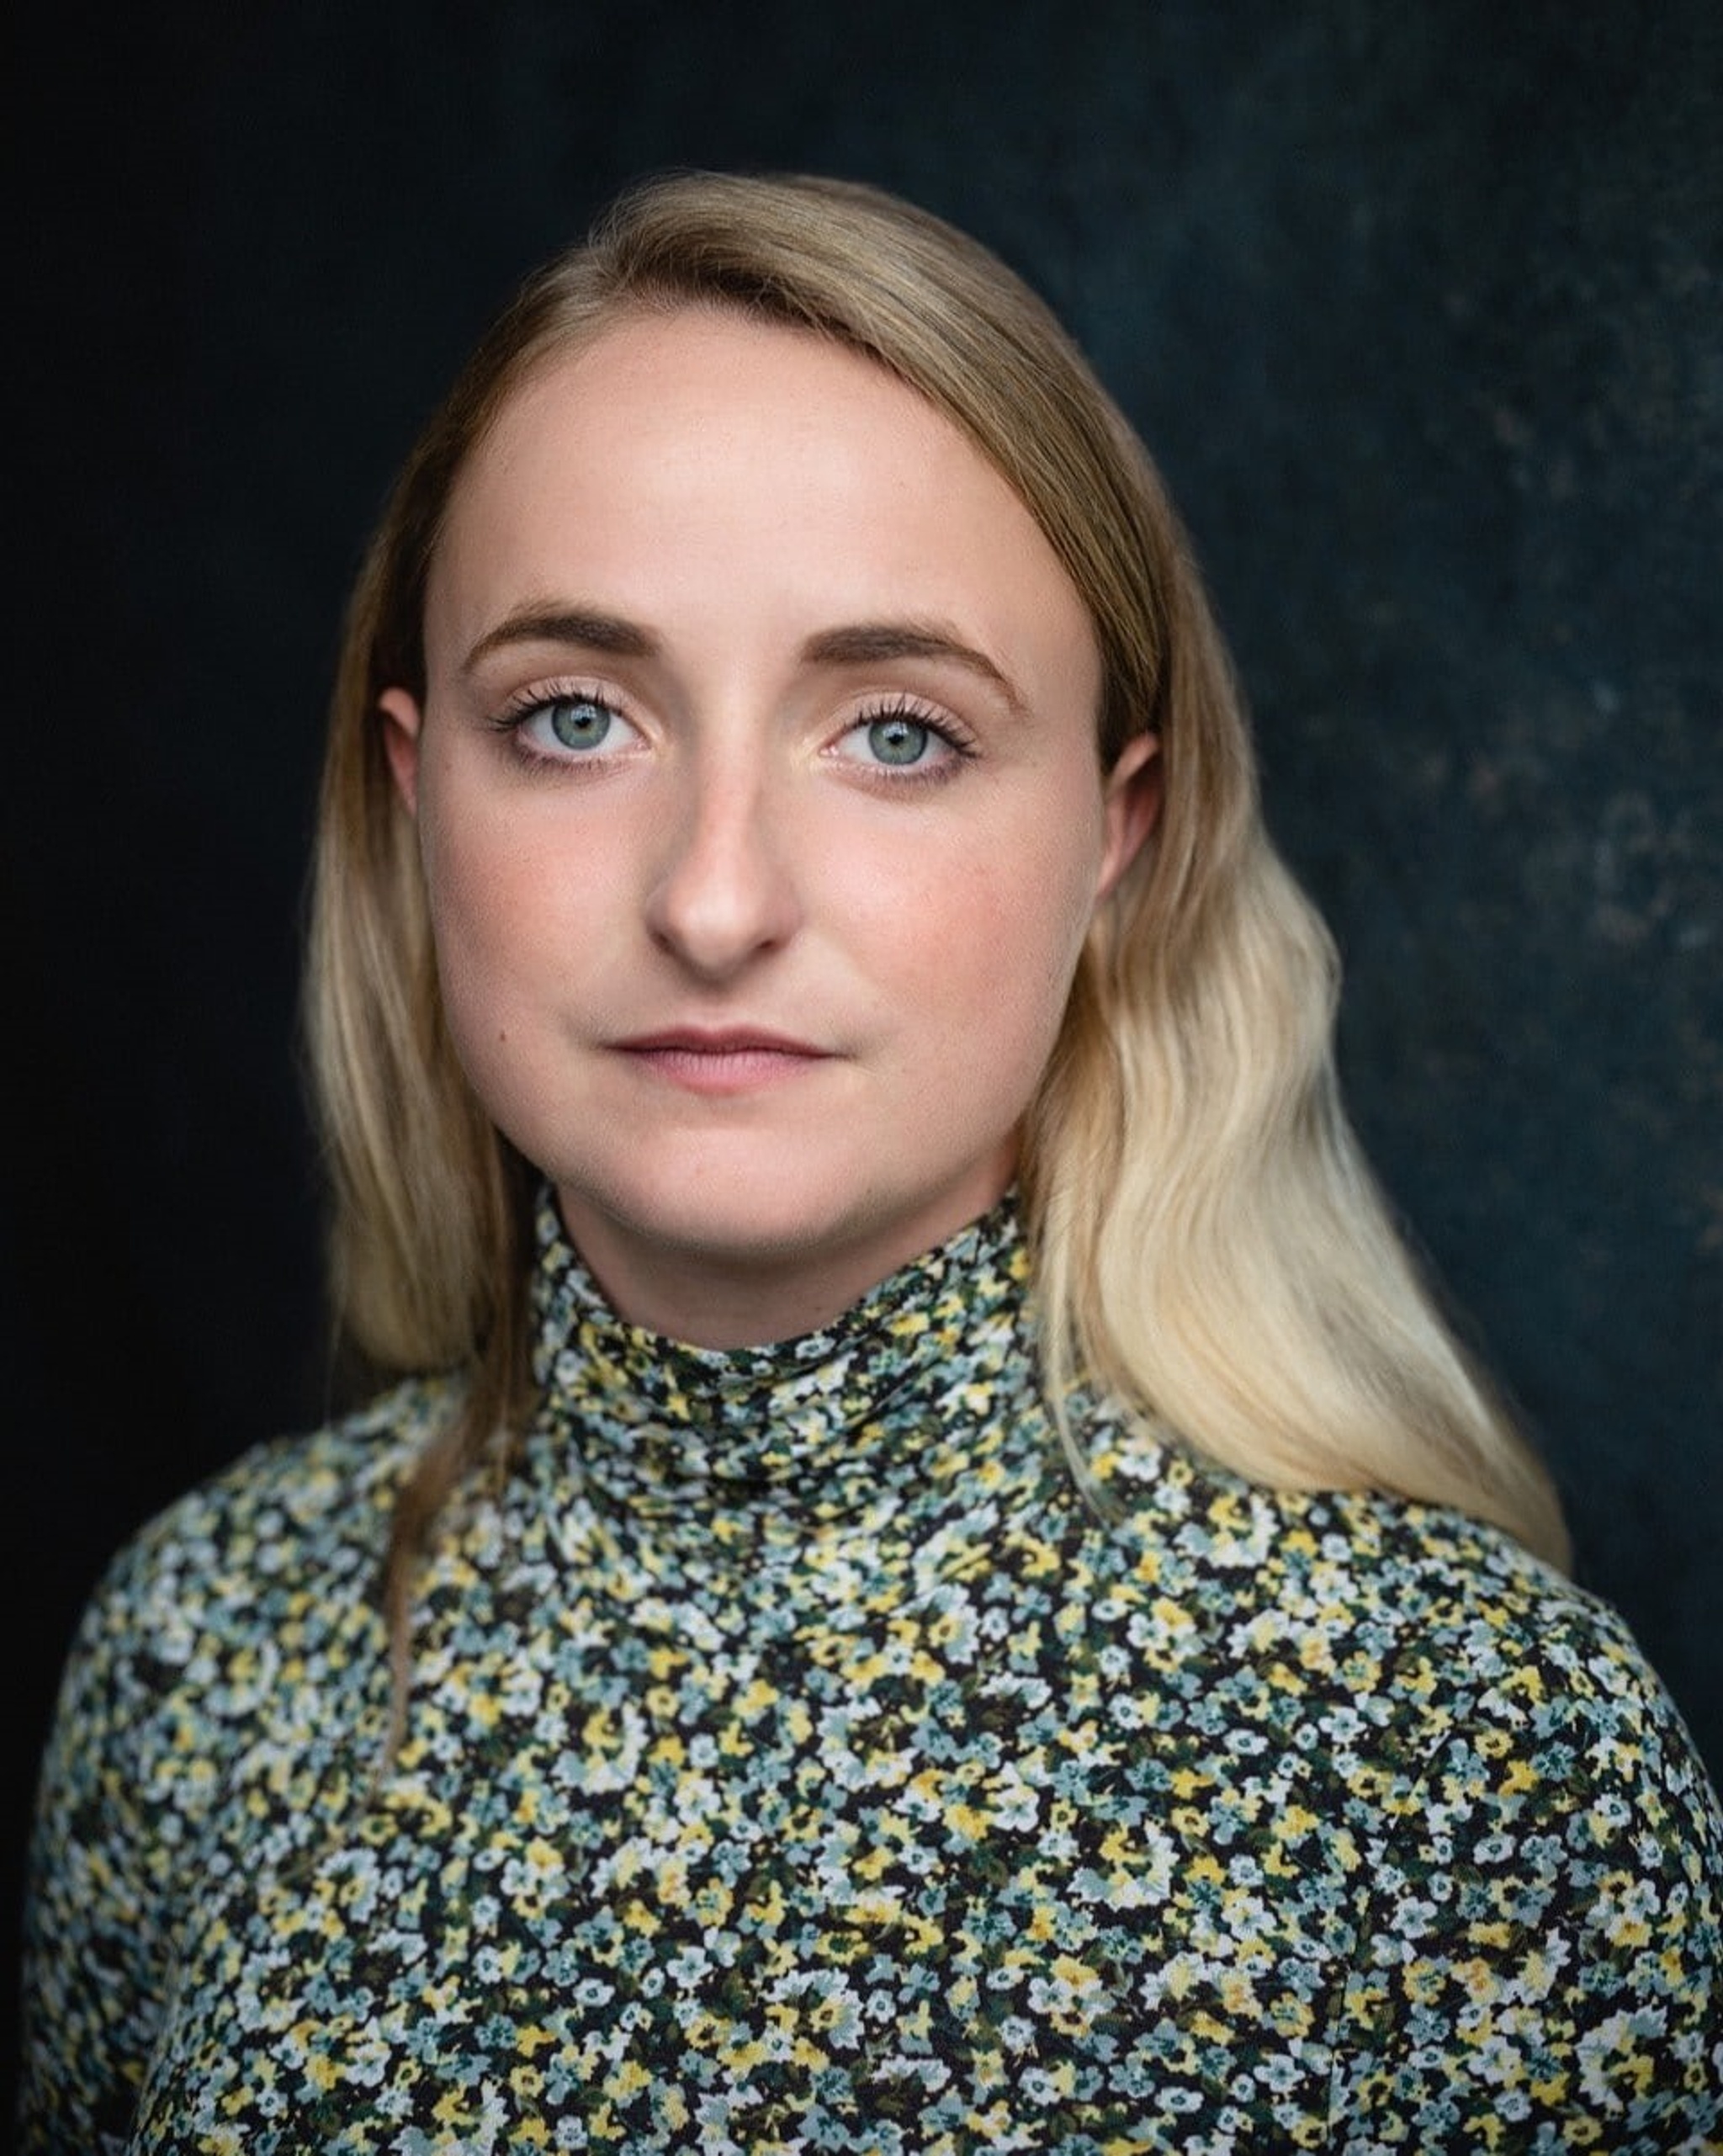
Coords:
1209,1241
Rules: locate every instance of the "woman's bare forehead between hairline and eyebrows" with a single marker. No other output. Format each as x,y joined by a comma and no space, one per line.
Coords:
680,458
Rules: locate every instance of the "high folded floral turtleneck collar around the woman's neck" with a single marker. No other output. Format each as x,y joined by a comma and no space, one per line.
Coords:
922,1387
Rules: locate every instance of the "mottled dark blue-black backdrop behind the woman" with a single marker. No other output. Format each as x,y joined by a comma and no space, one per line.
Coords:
1420,309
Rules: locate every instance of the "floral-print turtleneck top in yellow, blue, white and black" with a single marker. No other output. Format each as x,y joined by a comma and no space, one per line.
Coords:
797,1760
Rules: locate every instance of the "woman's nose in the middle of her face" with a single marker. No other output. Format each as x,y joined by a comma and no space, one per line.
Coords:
726,892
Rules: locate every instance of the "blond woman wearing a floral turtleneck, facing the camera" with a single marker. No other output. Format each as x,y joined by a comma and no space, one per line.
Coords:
935,1579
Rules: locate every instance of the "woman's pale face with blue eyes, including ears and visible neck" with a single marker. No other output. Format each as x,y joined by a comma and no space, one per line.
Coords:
760,814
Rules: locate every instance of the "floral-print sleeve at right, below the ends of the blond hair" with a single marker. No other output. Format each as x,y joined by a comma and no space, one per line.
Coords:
1541,1963
